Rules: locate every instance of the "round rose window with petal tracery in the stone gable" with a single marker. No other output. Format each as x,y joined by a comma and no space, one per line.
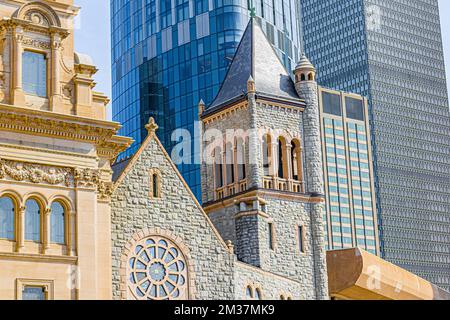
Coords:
157,271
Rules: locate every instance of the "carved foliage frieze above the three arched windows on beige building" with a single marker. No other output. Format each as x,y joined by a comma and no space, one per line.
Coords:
35,173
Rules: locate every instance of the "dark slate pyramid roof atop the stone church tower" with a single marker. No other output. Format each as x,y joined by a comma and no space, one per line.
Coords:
255,57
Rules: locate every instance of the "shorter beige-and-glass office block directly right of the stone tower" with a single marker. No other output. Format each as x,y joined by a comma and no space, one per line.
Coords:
351,216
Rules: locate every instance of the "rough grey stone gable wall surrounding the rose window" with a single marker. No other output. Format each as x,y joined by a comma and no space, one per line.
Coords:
176,212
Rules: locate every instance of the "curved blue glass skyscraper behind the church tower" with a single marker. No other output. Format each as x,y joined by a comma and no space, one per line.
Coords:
167,55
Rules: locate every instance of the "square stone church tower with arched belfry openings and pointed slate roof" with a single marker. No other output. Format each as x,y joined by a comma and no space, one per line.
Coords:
262,174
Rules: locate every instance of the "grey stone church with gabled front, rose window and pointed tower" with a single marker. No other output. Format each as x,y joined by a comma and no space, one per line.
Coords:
260,234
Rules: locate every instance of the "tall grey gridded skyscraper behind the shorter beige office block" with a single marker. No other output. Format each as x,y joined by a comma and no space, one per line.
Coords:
391,52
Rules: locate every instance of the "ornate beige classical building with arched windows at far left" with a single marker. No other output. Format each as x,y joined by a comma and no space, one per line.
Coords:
55,153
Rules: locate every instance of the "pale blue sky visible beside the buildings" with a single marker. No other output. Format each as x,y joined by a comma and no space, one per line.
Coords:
92,36
